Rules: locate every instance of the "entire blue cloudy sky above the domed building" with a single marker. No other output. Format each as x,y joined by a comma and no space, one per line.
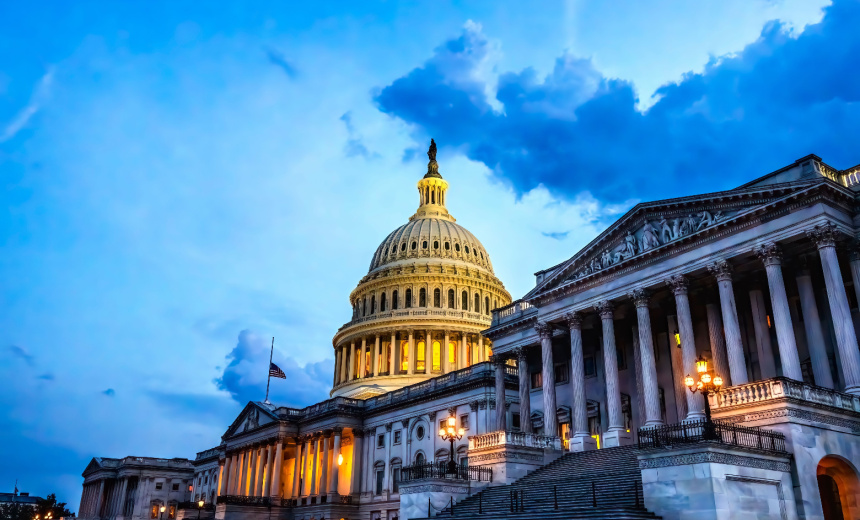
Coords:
182,184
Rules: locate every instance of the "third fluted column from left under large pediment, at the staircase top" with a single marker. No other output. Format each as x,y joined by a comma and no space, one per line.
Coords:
616,434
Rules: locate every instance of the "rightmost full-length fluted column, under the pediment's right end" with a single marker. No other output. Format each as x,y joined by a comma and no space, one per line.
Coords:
846,338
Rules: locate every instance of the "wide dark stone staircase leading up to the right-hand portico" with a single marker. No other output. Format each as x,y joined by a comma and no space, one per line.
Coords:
599,484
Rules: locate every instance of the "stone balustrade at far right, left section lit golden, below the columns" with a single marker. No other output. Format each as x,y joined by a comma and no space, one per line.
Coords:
780,388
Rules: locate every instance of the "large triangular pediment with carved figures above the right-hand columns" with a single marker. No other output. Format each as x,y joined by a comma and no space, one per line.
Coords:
655,227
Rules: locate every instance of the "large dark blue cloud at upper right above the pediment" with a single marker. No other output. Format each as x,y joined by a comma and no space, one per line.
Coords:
576,130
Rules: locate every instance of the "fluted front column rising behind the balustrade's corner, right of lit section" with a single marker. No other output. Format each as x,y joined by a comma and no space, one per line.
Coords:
771,255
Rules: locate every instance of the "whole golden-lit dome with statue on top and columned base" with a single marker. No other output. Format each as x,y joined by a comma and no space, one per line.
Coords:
419,311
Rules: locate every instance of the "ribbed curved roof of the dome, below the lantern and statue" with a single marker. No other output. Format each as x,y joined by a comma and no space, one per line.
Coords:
425,239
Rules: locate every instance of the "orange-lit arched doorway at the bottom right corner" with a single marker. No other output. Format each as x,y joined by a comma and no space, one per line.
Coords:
838,488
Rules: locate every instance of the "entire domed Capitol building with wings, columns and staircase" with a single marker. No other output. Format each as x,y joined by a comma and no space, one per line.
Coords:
697,359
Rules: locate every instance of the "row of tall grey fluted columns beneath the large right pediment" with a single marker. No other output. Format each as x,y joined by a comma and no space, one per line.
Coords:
725,338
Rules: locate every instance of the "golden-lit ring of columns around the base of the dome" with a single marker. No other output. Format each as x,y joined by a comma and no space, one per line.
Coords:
351,358
